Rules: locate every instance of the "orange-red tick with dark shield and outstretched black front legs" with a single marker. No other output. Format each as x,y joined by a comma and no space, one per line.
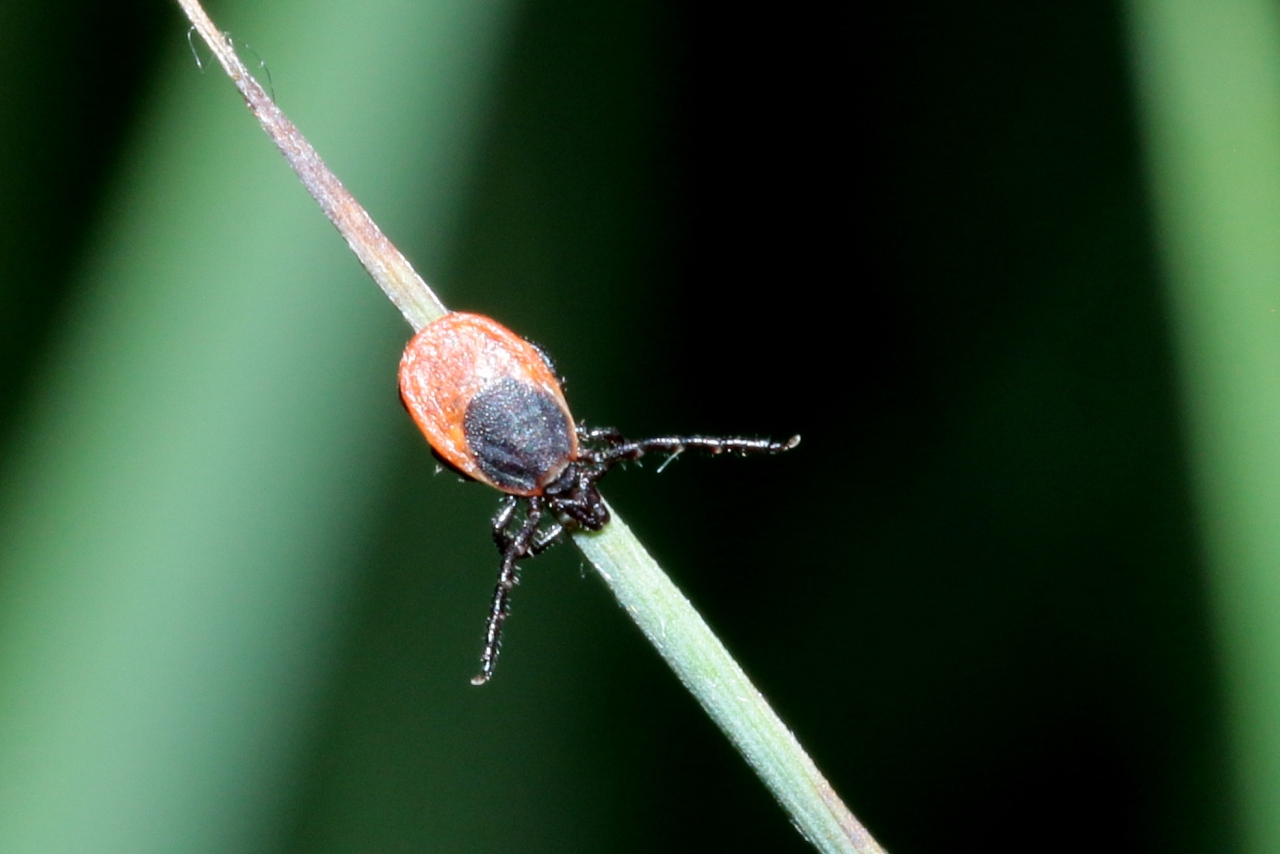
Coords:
493,410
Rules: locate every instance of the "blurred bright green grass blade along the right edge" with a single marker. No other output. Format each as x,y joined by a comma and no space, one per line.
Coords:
1209,77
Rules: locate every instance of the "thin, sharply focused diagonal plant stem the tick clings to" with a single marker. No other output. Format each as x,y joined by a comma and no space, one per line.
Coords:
662,613
